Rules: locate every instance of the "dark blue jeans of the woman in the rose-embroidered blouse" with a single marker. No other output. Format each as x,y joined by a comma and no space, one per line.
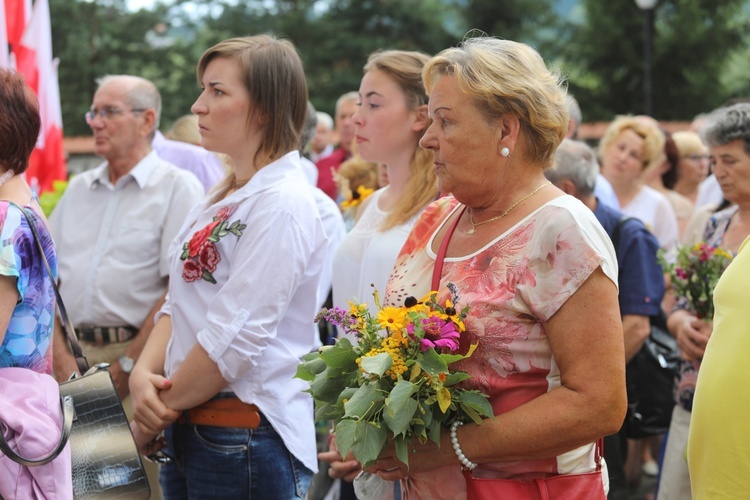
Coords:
221,463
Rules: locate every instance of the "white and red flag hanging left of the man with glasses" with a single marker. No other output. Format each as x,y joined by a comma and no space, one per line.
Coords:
34,61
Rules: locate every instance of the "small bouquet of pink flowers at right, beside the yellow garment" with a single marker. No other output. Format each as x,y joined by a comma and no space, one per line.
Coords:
694,275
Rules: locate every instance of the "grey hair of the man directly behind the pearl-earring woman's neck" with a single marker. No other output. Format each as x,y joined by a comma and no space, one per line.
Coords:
575,161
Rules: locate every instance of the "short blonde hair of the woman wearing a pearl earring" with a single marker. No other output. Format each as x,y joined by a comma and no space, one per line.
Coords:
502,76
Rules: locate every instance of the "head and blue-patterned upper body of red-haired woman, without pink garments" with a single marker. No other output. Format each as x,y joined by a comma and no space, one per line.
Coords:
27,305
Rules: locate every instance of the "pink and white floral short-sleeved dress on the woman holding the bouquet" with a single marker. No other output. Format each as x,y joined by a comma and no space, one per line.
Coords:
512,285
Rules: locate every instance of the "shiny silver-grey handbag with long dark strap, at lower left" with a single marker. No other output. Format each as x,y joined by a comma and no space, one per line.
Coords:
105,461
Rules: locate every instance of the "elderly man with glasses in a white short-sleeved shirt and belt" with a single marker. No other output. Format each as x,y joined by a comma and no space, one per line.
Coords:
113,227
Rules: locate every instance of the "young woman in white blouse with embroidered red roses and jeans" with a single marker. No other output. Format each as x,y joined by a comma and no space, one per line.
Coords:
218,369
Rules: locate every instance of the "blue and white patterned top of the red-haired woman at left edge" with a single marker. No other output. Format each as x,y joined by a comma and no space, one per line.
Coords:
28,338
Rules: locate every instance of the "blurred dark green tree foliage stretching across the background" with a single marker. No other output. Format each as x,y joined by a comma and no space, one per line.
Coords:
700,55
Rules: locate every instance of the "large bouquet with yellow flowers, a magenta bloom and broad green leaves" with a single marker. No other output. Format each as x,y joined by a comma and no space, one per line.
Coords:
395,384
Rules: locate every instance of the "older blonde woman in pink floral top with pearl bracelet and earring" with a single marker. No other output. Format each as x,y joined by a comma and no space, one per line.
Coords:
538,274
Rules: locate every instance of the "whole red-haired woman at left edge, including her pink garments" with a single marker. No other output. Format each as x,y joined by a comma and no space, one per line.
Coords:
27,308
